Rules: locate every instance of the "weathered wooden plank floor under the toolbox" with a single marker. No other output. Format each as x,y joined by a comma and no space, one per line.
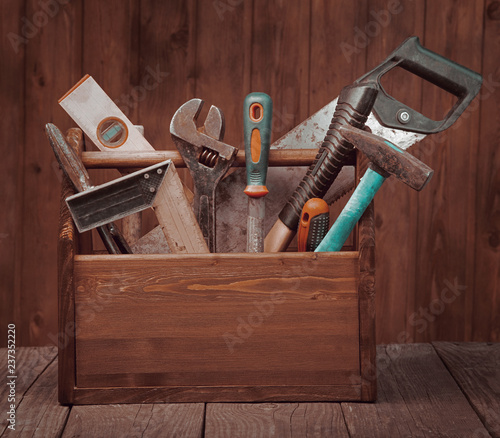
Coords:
443,389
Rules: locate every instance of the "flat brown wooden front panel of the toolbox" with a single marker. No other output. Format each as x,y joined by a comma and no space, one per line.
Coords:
225,320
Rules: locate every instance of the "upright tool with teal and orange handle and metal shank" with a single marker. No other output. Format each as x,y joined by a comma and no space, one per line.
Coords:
257,118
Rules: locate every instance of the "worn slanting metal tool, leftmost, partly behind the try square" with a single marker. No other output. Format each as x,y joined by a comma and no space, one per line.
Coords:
74,169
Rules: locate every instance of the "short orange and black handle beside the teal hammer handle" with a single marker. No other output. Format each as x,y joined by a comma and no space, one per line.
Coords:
313,225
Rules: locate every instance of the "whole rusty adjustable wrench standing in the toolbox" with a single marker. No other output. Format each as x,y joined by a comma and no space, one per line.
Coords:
207,158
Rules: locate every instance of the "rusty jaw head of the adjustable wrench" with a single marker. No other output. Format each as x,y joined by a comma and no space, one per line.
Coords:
202,150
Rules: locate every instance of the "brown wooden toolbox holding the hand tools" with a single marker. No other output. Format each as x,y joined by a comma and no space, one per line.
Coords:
216,327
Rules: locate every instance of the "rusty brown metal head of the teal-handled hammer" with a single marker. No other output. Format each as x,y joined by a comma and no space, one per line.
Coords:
388,158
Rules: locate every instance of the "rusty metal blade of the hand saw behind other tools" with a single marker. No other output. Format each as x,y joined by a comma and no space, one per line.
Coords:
232,208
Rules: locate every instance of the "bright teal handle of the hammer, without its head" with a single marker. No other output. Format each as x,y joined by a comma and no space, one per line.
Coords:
352,212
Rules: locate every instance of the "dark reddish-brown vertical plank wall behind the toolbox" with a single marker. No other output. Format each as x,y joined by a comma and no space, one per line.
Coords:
438,251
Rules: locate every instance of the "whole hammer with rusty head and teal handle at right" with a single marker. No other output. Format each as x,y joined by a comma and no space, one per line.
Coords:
386,159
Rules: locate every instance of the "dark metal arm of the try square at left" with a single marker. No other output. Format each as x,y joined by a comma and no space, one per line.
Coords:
118,198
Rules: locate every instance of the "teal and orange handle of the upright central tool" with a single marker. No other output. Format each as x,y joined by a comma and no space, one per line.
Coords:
257,120
